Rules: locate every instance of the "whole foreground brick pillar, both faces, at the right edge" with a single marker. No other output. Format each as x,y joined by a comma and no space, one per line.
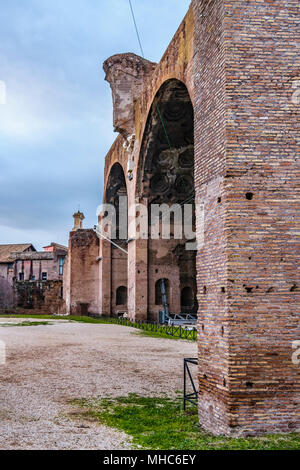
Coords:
245,130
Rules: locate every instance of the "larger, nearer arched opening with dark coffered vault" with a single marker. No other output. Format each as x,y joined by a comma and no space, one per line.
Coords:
166,177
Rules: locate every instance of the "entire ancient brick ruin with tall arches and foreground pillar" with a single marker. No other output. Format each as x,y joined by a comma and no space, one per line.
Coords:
224,89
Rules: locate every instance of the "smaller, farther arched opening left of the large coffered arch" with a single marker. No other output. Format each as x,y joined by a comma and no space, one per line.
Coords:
116,195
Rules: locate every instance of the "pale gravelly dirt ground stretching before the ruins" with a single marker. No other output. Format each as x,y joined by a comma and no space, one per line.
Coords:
49,365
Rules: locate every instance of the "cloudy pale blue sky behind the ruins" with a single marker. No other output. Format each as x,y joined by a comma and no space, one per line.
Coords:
56,125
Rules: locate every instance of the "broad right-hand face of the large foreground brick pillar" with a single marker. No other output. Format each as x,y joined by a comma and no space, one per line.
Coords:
262,186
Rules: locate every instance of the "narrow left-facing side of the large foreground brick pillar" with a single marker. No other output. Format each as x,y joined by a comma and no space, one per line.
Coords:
210,149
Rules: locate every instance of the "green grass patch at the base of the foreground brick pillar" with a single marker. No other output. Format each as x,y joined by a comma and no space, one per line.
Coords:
161,424
